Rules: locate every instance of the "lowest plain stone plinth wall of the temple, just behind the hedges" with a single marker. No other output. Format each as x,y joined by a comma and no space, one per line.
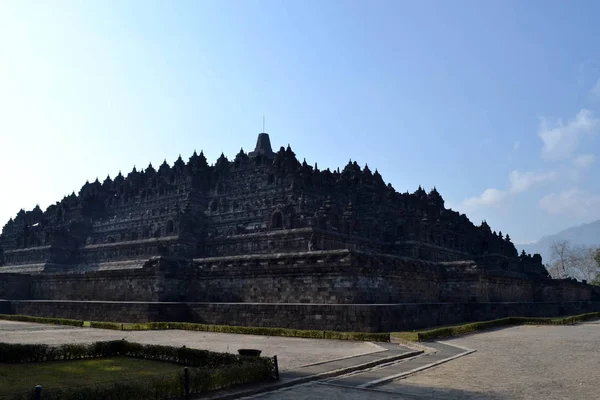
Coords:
367,318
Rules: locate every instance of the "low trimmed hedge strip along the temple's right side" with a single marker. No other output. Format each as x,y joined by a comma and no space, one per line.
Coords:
458,330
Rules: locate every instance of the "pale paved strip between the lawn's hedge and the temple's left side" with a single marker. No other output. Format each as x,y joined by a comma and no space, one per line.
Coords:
291,352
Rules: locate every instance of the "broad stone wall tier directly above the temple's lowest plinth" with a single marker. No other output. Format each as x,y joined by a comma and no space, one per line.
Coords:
320,277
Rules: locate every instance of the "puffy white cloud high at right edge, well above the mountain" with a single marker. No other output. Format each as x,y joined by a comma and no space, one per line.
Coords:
562,139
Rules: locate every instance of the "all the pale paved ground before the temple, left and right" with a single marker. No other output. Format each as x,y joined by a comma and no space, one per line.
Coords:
525,362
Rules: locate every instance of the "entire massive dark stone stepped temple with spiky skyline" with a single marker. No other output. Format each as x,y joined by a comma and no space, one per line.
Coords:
268,240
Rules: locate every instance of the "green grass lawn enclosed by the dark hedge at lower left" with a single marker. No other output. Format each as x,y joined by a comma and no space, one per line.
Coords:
20,377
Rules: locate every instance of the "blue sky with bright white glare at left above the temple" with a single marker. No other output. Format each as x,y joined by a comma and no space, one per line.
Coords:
495,103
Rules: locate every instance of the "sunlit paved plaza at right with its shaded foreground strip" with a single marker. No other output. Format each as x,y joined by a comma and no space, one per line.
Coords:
525,362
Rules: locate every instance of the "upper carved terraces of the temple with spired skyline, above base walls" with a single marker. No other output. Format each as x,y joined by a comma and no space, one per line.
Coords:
259,202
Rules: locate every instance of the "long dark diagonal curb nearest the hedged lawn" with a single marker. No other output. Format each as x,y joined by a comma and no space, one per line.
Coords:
310,378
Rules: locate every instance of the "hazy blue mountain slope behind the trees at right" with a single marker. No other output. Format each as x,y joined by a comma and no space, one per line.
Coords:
583,235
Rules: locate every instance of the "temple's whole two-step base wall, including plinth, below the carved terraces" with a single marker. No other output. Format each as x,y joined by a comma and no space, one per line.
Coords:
324,290
